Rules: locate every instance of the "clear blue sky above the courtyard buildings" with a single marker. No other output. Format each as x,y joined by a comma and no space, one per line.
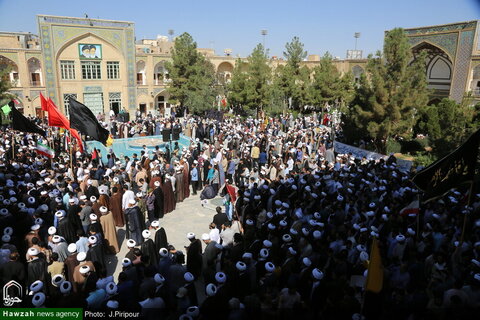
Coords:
321,25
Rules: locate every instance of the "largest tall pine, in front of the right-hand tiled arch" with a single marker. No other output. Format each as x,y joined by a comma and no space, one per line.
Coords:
394,92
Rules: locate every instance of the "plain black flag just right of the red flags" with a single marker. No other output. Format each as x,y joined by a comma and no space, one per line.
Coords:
83,119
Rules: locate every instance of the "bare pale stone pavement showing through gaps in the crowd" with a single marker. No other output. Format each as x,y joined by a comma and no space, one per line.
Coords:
189,216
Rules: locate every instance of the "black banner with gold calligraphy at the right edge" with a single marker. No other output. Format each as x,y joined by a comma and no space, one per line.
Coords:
453,170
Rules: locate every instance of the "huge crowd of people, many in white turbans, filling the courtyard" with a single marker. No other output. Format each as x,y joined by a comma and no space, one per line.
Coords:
292,240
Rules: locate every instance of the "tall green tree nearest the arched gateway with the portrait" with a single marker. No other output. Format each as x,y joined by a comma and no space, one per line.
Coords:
193,76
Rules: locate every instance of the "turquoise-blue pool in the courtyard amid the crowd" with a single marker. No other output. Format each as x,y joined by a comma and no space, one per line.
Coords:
129,146
